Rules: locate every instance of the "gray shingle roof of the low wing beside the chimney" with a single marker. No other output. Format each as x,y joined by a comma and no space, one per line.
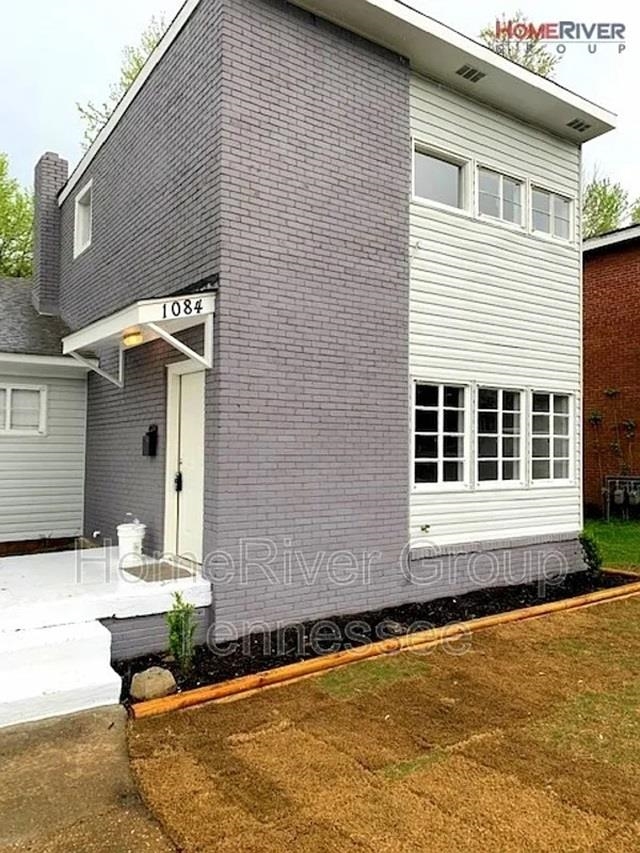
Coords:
22,329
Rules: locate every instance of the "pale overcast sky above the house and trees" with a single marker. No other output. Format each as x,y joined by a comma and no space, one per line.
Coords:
56,54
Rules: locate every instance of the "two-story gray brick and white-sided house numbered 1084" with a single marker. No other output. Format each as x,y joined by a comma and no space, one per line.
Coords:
328,255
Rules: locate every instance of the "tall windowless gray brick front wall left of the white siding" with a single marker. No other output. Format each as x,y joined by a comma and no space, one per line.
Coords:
309,425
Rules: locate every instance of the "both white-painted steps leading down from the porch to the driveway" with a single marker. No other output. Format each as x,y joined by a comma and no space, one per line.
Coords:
47,672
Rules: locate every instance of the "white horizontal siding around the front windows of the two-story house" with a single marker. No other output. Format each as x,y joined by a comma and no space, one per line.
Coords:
494,305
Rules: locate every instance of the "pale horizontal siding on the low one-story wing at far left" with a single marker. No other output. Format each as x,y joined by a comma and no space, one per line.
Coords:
42,477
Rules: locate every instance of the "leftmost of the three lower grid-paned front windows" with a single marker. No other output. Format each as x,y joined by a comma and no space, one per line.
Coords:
439,434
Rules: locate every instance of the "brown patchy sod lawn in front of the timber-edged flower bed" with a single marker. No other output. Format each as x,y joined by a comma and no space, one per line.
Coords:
528,740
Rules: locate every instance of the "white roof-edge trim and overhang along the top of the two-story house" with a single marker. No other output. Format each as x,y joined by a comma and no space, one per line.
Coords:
433,49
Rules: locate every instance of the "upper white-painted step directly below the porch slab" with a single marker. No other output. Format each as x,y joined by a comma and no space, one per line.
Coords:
35,647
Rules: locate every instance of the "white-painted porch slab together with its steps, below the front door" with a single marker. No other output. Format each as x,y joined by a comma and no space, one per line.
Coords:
55,653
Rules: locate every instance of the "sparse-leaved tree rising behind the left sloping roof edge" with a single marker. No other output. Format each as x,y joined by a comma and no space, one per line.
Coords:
95,116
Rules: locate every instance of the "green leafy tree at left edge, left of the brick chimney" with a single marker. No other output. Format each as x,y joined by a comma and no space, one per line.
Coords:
16,224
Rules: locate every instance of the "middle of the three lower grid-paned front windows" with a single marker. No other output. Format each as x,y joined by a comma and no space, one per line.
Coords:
499,435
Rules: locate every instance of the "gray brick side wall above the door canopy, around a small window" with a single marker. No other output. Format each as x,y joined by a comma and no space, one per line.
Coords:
156,200
